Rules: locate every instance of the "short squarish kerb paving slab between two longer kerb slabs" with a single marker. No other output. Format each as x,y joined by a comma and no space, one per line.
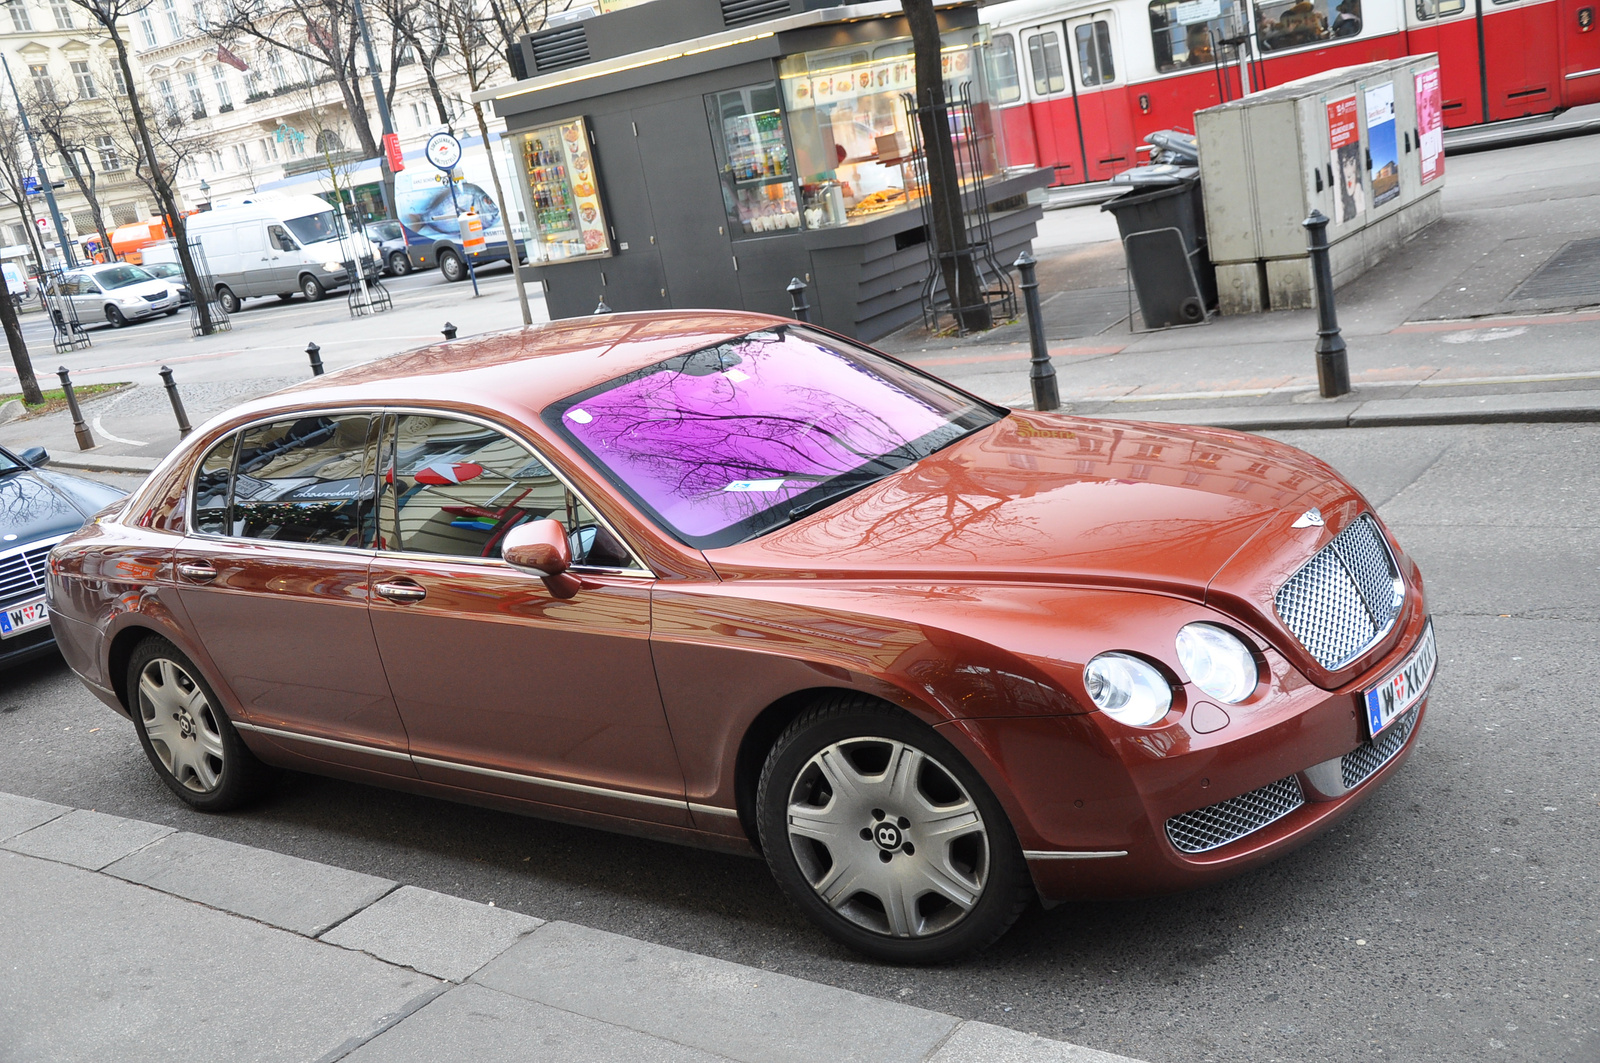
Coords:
441,936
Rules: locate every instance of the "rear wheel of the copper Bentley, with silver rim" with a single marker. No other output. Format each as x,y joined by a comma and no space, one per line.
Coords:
201,758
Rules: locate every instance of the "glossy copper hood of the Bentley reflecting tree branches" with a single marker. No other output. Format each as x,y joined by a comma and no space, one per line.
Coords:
1050,499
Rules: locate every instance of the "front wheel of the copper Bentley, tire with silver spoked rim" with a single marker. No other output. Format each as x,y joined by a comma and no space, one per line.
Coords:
990,859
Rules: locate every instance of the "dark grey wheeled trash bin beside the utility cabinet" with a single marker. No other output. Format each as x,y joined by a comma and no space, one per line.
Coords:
1162,225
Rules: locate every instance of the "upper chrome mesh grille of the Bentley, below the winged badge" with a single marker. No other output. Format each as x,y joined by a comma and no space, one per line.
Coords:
1346,598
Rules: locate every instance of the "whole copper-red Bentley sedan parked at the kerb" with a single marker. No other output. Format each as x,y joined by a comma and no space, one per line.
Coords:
734,582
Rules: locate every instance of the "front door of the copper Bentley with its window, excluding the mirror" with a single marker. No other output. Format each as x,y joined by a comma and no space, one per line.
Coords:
505,688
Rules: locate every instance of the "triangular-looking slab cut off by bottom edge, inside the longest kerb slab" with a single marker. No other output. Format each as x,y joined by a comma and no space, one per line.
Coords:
487,1027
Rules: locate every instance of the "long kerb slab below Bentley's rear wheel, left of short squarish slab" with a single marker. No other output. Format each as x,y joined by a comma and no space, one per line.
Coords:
282,891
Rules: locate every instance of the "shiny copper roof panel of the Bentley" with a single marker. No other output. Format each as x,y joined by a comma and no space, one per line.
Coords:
524,371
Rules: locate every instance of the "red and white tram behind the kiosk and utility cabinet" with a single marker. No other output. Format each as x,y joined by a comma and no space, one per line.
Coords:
1079,84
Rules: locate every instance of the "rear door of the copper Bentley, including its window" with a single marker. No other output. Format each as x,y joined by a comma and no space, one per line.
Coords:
273,577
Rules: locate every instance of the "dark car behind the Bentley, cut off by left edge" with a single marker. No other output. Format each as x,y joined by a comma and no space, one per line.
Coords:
38,510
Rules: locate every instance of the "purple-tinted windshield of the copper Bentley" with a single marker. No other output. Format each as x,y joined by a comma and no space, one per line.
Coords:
734,441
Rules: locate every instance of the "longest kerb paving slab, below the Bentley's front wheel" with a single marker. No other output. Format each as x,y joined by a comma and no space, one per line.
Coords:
703,1003
